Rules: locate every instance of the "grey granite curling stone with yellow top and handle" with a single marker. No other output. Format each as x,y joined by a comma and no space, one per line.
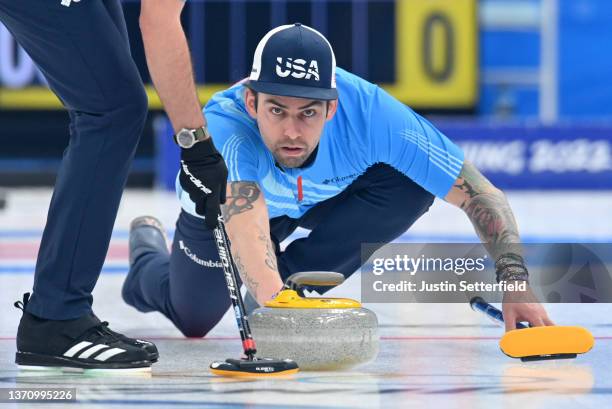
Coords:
317,333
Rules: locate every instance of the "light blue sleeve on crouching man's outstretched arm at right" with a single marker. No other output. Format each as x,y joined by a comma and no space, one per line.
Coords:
411,144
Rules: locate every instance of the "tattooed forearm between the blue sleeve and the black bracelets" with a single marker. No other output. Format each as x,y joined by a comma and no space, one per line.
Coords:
489,212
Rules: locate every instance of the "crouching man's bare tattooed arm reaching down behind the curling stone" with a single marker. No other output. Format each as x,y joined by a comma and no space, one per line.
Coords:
248,228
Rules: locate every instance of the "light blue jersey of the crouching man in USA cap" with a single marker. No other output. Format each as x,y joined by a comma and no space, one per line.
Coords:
369,127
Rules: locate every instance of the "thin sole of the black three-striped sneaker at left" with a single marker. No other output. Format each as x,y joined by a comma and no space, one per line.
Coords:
38,362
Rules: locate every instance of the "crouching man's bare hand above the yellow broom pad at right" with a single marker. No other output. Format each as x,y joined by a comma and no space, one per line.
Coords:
523,306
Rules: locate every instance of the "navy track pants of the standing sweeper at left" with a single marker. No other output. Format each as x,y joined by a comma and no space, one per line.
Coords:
84,54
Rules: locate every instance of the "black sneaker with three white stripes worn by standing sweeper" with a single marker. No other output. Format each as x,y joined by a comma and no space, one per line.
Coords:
84,343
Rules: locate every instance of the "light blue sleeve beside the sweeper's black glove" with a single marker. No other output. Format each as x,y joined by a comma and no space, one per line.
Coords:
235,142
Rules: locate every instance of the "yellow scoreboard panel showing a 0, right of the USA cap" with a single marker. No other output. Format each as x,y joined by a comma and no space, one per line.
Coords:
437,49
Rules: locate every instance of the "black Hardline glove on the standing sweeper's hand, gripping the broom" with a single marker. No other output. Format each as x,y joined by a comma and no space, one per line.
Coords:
203,176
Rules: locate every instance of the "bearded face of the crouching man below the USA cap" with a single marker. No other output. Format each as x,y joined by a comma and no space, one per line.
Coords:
290,127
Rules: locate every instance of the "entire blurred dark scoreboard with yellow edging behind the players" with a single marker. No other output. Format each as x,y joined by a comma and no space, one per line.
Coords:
429,59
